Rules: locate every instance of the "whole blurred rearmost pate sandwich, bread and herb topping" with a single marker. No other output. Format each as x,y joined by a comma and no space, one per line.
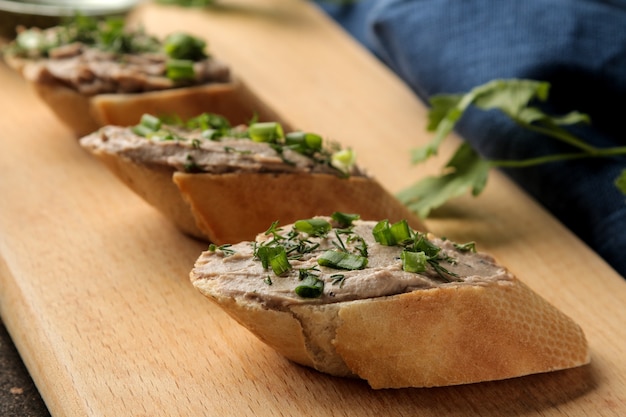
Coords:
93,72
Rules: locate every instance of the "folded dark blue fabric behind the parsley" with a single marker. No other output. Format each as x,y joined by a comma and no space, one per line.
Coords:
578,46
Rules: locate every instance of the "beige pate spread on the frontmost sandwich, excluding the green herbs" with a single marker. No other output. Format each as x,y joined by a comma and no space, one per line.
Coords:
236,272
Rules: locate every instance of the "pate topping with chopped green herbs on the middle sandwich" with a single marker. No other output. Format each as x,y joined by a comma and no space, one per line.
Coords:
207,143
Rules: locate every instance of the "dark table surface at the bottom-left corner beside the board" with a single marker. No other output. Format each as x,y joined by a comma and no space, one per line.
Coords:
18,394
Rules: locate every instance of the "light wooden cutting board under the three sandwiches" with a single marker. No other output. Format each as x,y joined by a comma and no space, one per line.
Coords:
94,282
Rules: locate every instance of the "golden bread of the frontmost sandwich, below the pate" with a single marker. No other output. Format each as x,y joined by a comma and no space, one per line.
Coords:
433,337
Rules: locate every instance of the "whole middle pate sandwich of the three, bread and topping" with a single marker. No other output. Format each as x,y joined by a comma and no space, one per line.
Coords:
226,183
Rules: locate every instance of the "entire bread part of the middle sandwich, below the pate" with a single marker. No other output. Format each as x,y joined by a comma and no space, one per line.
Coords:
232,207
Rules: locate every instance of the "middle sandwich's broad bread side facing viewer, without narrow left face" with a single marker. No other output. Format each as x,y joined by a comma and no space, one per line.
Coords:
235,207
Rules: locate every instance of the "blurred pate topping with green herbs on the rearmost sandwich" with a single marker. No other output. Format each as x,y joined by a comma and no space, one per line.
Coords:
95,56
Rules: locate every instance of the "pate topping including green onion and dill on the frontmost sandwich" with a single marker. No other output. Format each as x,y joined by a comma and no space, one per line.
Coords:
327,260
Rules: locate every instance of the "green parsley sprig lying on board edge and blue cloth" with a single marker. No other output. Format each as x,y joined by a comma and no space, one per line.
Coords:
467,170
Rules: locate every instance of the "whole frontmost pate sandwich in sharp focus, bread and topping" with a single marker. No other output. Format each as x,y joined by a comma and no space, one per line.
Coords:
382,302
